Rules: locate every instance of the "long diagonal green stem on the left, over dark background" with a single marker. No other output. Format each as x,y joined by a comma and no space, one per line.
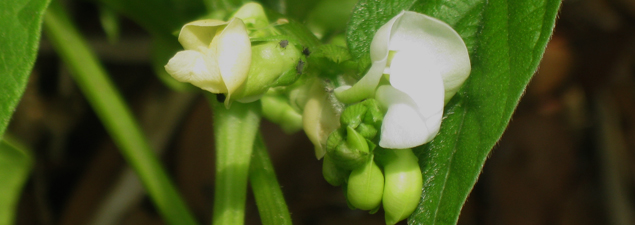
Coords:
115,115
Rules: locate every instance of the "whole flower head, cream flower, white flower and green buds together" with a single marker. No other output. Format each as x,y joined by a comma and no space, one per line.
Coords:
364,132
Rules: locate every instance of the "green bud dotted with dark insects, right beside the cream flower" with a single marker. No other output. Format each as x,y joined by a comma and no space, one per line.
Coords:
270,62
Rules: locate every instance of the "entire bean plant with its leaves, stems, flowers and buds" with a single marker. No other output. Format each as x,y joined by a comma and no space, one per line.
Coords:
402,99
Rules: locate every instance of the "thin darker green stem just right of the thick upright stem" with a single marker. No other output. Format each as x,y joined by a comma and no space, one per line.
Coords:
269,199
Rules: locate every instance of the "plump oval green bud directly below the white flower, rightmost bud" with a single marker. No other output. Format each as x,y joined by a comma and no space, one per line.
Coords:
403,186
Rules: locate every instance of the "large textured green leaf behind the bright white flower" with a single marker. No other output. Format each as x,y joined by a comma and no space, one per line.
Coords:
506,40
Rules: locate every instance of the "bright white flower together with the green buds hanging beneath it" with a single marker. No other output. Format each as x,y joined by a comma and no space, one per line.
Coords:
418,64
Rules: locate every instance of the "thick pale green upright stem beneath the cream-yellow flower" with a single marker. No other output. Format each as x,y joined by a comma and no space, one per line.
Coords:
235,131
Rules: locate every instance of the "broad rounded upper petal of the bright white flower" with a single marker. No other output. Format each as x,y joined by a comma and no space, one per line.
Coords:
430,35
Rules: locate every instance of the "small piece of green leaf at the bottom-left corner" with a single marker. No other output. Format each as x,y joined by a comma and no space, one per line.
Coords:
15,164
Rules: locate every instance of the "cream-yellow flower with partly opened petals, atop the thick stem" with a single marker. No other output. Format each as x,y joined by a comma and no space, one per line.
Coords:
216,58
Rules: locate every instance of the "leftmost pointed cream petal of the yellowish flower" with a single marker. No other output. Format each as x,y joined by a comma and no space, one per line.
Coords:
196,68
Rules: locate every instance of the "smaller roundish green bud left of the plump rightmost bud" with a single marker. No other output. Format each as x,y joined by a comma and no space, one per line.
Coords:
366,186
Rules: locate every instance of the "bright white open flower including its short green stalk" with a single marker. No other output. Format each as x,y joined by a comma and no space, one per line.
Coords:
427,62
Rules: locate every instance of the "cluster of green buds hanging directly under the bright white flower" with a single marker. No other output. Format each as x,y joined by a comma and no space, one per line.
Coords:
370,174
